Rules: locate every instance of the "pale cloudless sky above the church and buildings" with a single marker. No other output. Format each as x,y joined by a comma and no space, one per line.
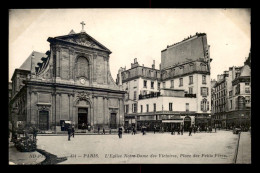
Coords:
134,33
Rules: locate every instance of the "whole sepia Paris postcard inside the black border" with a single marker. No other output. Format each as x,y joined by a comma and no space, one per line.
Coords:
129,86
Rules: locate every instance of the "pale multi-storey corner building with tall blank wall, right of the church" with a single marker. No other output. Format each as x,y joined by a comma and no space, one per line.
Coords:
176,94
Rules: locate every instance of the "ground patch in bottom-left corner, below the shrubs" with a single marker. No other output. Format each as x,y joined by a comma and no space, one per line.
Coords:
23,158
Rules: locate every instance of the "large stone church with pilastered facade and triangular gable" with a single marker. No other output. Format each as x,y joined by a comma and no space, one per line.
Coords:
70,82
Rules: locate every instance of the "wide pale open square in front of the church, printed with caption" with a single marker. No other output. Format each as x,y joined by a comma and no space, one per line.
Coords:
202,148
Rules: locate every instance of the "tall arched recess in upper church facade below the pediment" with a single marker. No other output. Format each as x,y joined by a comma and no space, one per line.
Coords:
82,67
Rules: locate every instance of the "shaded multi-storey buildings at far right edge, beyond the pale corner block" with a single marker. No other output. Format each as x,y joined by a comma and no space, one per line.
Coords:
232,97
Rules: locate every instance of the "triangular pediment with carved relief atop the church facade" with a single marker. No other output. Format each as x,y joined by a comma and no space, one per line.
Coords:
83,39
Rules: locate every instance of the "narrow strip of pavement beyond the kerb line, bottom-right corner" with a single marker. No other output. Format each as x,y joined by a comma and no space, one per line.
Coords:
244,149
